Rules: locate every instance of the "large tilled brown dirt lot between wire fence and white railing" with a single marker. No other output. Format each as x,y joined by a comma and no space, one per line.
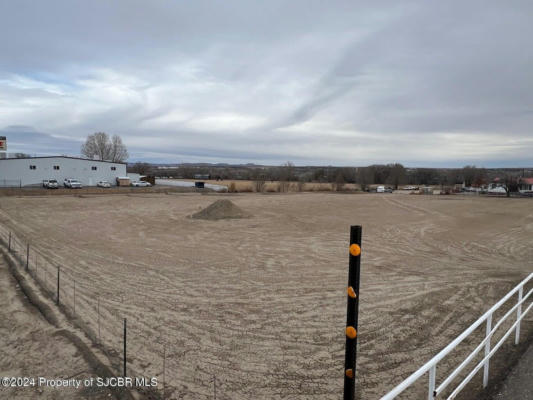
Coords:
260,302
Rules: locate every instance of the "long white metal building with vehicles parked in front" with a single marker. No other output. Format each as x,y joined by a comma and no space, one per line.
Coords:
32,171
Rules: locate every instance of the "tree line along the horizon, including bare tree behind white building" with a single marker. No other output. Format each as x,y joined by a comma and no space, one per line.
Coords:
101,146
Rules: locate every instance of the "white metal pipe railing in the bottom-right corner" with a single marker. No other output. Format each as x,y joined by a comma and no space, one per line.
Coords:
431,366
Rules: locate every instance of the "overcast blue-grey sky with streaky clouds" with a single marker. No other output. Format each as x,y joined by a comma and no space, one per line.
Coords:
424,83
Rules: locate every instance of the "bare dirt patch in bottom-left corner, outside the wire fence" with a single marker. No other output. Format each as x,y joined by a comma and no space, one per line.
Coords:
33,348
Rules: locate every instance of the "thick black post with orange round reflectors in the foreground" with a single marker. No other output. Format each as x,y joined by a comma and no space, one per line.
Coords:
352,312
